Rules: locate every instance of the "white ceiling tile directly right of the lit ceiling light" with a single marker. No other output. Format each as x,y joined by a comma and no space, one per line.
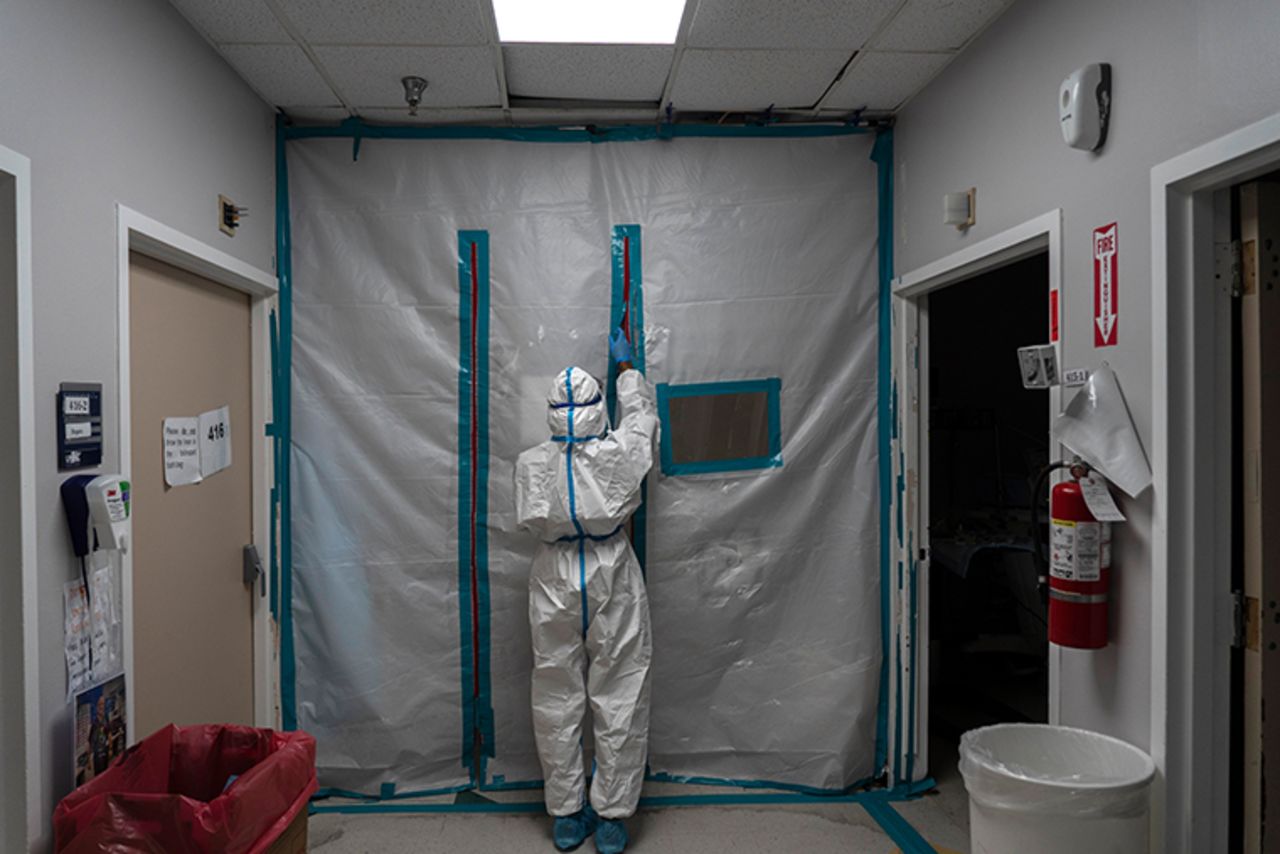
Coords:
810,25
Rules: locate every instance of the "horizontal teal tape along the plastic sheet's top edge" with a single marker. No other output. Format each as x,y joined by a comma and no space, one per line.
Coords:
358,130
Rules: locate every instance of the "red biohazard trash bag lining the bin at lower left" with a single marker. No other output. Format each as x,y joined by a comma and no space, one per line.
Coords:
193,791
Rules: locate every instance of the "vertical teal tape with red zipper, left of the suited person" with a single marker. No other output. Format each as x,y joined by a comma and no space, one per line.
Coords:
474,499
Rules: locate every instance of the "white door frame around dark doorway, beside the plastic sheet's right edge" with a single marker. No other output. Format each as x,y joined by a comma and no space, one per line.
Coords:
911,366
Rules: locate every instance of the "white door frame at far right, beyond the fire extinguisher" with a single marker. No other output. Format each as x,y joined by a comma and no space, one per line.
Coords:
1192,619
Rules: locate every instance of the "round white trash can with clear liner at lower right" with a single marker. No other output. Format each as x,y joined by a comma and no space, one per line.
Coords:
1055,791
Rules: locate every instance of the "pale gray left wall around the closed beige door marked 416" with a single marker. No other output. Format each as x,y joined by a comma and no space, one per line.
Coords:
113,103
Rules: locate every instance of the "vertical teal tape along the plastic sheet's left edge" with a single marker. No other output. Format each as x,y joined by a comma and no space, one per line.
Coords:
284,424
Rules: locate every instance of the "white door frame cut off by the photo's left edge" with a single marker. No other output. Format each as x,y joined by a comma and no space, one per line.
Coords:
26,777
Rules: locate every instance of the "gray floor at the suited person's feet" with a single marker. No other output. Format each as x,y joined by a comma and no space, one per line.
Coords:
941,819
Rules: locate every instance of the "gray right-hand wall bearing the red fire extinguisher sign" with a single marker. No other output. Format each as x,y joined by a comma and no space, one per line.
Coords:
1185,72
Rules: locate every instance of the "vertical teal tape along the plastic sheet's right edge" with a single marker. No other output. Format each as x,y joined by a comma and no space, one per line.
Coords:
883,154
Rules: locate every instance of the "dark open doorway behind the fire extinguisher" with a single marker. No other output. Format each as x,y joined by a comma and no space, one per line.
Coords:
988,444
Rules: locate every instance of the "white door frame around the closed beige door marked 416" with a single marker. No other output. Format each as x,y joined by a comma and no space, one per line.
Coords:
140,234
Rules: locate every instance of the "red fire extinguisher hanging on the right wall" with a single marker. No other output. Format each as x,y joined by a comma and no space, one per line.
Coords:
1080,569
